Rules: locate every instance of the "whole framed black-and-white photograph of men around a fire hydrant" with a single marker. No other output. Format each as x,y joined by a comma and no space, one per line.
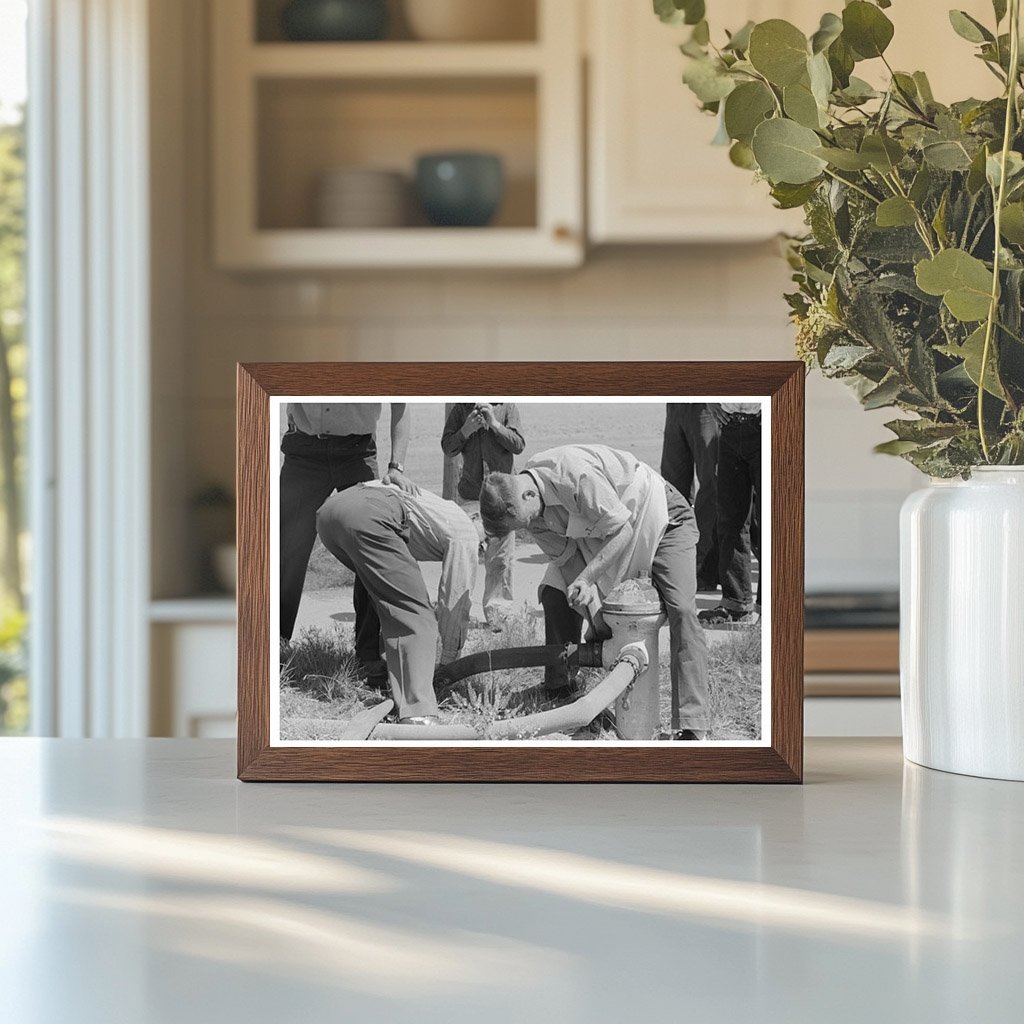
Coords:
521,572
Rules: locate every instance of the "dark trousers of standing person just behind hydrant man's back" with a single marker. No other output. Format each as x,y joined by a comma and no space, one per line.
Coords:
690,455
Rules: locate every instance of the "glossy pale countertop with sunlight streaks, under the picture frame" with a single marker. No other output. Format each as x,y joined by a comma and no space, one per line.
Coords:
143,885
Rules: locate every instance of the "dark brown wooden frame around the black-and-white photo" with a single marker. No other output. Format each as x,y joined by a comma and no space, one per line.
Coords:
779,761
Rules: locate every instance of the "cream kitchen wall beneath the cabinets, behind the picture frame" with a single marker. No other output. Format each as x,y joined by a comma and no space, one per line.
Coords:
701,304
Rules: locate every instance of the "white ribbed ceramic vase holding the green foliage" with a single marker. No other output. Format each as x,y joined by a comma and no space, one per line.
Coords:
962,625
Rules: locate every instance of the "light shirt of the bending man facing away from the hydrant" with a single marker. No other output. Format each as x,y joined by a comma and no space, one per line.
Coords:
441,532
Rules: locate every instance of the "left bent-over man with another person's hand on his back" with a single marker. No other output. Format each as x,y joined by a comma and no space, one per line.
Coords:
381,533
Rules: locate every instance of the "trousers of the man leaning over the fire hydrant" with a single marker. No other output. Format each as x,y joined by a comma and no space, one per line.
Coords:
674,574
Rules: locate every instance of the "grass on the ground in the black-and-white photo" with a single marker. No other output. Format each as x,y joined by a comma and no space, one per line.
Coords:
320,681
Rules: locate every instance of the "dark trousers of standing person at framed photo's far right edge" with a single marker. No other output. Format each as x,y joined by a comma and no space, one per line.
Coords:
739,500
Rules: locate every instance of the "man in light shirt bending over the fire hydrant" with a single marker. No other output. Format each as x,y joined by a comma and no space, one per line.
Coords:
602,517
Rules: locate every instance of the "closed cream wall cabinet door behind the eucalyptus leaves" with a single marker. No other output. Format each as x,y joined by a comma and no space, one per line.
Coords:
653,175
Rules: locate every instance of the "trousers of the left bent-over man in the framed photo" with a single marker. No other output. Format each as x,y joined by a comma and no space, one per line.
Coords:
367,529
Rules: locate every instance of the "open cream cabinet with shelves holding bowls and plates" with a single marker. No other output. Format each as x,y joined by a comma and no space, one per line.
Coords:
288,114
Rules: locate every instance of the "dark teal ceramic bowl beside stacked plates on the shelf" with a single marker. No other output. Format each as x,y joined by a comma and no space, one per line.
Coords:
460,190
